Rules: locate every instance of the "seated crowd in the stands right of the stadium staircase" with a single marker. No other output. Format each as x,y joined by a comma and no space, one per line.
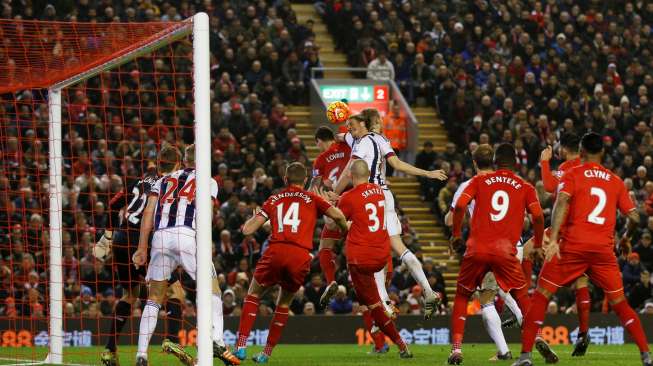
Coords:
523,72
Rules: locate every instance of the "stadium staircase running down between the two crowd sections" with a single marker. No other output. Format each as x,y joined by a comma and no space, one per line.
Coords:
430,235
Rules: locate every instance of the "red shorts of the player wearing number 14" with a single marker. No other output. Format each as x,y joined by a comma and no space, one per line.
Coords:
284,265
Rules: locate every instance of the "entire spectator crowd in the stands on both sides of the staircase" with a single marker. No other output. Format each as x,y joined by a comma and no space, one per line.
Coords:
514,71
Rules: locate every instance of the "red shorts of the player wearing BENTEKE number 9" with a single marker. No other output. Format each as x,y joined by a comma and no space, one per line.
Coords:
506,268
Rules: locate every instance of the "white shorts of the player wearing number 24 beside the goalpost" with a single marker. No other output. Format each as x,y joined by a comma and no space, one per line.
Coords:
170,248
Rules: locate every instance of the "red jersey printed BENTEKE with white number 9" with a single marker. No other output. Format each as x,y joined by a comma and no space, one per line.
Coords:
502,198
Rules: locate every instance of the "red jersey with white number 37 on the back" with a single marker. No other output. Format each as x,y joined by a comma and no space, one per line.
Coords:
368,241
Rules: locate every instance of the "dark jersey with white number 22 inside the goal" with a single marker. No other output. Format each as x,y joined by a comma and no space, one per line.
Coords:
134,199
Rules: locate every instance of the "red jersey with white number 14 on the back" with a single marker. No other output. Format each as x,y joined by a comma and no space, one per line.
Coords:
293,213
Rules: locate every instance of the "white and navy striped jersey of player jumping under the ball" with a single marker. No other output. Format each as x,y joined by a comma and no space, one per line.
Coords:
374,149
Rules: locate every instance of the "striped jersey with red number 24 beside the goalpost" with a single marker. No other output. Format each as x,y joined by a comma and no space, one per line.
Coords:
176,202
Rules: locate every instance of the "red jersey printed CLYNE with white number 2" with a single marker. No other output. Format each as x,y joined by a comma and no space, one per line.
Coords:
595,193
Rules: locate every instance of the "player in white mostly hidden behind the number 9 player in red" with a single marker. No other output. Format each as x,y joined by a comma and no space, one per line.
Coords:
482,157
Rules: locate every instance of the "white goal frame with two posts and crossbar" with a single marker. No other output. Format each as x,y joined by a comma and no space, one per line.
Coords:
198,27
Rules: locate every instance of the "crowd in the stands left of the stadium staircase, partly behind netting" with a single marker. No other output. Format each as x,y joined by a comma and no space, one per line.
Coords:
114,125
